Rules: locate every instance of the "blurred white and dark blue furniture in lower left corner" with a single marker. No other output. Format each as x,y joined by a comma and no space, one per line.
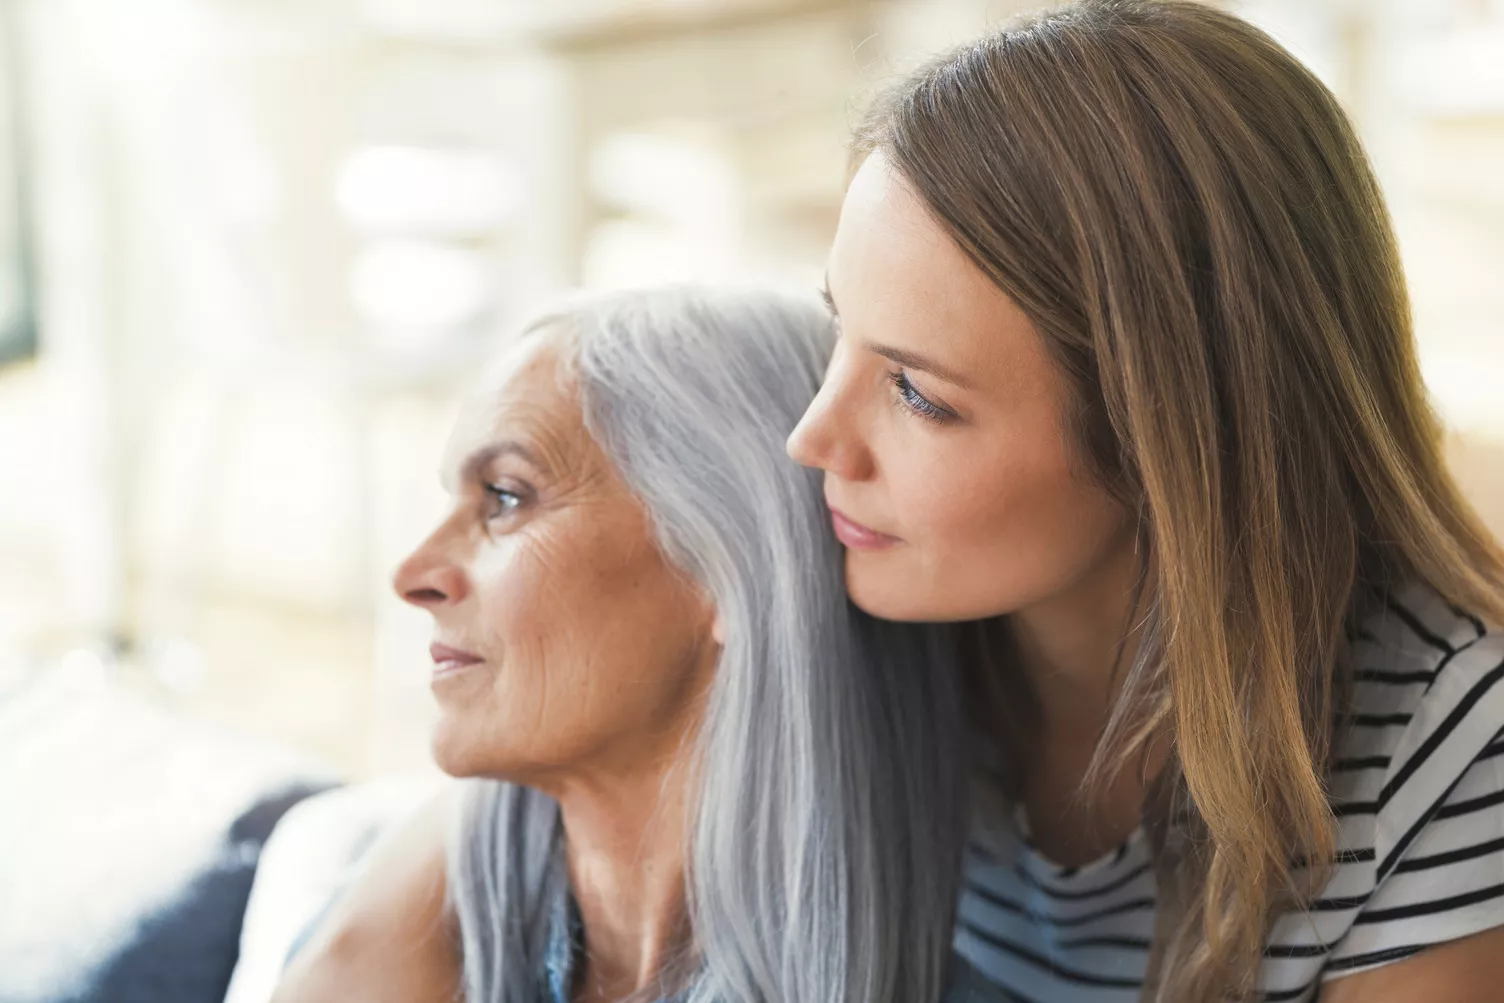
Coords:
129,843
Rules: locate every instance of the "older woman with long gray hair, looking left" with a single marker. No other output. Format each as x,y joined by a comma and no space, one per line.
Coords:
699,772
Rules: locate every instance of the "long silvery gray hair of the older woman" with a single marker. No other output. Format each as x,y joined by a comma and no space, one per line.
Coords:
829,816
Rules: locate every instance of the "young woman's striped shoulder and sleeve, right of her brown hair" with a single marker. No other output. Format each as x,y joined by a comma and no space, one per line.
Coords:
1418,787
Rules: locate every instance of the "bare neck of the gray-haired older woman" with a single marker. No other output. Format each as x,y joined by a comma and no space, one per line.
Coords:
626,844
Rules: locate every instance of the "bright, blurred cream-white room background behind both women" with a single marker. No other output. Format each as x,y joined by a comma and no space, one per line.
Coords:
253,250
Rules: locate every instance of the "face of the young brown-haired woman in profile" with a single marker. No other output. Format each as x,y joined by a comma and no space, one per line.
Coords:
944,428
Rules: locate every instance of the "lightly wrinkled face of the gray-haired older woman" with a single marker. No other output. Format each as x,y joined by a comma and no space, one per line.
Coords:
565,641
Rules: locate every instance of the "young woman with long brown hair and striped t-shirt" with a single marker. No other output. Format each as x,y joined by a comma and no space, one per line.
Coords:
1127,377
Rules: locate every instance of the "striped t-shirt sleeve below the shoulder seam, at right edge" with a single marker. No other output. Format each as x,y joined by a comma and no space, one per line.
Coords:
1439,850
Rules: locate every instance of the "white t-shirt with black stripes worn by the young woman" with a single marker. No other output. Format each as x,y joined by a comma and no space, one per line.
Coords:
1419,795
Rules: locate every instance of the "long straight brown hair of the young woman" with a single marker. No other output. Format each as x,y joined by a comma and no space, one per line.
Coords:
1190,222
